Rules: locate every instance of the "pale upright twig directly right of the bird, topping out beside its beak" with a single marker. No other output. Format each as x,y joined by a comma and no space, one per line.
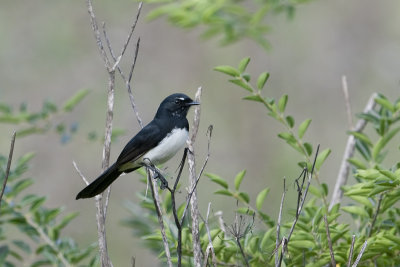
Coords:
192,183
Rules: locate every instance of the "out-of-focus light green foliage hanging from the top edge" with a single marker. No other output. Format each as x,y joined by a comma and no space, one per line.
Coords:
233,20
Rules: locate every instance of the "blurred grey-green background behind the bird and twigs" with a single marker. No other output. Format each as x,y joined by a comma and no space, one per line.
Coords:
47,51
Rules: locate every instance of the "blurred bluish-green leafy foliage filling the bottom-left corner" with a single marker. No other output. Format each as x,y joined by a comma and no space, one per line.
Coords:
41,241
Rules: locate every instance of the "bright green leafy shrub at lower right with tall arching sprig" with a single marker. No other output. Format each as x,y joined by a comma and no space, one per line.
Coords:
373,200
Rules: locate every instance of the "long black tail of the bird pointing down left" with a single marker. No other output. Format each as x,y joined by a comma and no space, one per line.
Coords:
101,183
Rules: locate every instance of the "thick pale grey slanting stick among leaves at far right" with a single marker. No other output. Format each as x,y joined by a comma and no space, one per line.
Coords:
343,174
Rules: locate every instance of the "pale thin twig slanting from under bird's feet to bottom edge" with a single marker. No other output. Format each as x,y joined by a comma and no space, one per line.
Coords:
157,205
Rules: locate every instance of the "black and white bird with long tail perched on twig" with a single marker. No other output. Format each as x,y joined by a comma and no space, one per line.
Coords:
156,143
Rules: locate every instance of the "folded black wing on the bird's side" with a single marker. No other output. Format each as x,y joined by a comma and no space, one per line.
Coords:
146,139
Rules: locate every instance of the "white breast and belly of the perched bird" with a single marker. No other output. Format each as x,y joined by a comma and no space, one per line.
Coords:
168,147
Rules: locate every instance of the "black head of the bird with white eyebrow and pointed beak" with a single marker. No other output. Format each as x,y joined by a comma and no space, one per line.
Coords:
176,105
